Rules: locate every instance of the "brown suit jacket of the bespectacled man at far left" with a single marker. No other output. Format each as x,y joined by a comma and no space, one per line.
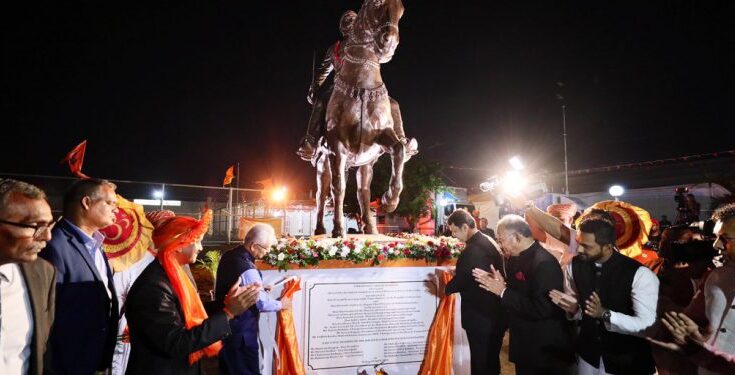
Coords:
40,278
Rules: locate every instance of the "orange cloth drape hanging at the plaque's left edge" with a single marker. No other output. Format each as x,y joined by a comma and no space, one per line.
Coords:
288,361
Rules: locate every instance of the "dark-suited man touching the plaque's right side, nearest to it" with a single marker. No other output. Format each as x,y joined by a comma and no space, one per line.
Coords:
482,316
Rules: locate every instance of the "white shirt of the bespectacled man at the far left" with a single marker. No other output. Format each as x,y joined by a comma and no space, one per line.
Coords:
16,330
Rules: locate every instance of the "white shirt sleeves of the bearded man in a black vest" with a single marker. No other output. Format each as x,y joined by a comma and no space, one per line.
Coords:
644,293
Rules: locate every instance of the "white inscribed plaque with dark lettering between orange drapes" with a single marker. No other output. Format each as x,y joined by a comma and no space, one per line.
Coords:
365,323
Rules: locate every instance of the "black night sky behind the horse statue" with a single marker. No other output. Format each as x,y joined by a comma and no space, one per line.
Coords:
177,92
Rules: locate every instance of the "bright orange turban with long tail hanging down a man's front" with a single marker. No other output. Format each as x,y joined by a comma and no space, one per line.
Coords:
173,233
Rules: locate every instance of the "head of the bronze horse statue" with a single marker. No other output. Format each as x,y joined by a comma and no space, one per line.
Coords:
377,22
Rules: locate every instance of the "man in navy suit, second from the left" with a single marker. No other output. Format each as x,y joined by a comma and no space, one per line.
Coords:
83,338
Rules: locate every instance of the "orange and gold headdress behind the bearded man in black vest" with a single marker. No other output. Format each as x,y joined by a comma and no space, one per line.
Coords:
632,225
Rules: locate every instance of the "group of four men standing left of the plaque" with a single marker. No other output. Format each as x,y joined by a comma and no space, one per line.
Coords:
59,309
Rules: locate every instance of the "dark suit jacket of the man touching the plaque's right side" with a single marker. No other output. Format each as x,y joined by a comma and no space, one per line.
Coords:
481,310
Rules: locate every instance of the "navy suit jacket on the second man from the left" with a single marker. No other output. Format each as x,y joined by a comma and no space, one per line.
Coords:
84,334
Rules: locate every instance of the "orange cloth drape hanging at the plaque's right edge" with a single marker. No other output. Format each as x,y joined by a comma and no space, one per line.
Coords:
438,355
